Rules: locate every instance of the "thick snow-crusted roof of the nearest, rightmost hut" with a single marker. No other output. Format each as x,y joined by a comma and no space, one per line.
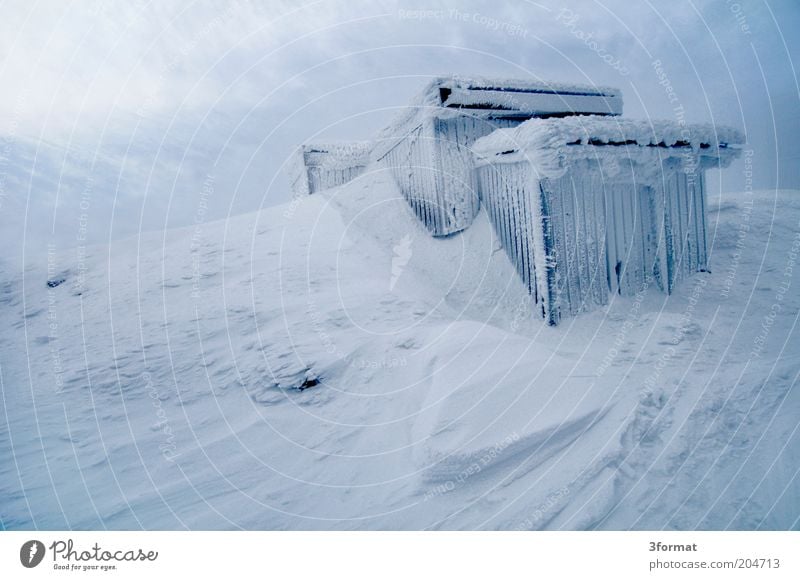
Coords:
551,143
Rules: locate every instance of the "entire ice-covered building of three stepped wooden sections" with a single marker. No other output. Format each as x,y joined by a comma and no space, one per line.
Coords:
586,204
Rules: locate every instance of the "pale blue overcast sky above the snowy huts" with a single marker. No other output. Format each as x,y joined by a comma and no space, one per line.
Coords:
116,119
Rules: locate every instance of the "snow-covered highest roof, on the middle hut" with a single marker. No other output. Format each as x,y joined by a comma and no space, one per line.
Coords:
449,96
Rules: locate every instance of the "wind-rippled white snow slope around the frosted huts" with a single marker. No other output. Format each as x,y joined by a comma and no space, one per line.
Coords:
162,384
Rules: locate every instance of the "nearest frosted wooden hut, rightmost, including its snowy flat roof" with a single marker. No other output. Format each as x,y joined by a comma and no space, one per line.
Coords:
588,206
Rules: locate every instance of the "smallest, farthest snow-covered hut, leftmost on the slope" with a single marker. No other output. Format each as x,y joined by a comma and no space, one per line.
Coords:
323,165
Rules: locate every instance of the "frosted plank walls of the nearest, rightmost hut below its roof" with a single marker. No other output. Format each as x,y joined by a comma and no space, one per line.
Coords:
576,239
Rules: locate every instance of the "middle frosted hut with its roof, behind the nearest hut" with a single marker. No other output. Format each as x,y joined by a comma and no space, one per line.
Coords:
427,148
